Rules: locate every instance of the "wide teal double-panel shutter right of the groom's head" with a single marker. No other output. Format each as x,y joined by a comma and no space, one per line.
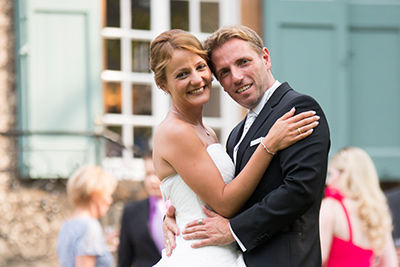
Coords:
346,54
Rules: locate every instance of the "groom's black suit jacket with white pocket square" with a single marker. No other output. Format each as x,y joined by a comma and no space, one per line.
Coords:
279,224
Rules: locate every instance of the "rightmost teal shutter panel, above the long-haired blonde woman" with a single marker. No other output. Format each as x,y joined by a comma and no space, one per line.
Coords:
374,83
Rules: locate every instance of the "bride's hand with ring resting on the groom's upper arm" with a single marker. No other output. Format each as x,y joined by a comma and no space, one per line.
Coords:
290,129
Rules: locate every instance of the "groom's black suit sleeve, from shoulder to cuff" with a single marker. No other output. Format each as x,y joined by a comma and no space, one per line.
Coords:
301,171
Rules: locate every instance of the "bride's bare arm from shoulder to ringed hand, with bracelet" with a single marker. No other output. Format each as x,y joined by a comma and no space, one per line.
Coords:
184,151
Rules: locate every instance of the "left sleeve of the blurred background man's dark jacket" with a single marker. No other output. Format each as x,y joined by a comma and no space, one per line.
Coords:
125,248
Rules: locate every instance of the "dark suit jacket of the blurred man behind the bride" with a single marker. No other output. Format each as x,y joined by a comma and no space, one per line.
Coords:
136,244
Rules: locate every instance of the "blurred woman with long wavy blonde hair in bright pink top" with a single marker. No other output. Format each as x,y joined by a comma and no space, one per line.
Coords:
355,220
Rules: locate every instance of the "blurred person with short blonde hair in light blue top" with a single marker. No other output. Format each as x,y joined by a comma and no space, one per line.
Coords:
80,241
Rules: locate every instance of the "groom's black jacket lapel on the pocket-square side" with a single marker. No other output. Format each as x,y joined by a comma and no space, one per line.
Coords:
256,129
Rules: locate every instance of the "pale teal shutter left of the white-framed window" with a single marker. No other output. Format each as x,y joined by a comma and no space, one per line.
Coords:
59,89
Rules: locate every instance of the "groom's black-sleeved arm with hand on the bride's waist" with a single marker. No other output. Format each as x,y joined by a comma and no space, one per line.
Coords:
276,209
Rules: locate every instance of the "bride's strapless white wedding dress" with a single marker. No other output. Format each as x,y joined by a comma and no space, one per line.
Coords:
188,207
